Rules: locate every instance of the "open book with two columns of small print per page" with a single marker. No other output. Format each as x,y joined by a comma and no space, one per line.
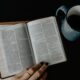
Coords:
25,44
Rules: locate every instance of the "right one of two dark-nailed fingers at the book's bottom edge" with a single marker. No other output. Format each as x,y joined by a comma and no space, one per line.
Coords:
38,73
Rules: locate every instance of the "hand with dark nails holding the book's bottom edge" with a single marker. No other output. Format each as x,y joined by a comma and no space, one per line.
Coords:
36,72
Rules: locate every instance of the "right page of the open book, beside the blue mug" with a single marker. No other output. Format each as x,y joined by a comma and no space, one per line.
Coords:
46,41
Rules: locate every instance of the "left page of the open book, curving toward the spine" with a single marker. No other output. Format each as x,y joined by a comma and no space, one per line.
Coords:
14,49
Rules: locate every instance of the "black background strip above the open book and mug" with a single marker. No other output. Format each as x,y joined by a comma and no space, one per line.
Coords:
11,10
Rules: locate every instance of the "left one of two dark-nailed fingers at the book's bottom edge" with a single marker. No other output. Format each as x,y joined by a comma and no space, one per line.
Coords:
30,72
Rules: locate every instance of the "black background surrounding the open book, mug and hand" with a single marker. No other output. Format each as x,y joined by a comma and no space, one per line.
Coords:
11,10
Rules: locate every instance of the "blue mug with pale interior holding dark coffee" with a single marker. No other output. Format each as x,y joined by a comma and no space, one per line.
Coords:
70,22
